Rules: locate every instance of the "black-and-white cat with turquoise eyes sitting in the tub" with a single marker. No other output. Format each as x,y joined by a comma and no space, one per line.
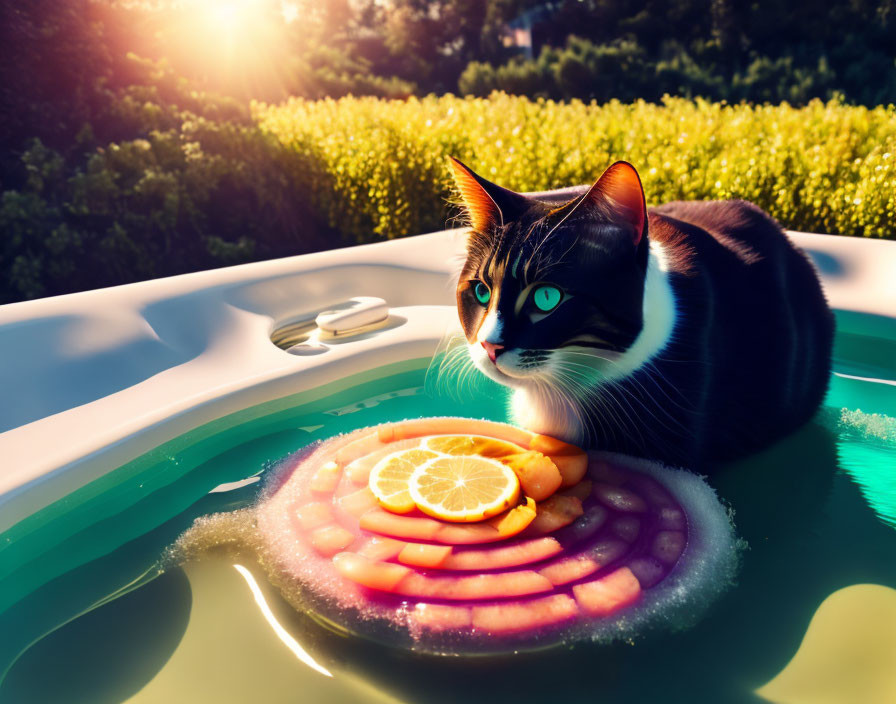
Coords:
691,333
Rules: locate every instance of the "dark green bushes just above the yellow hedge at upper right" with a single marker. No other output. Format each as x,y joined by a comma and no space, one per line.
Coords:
624,70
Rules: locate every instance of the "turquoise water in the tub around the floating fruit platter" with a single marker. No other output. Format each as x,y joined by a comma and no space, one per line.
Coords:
80,582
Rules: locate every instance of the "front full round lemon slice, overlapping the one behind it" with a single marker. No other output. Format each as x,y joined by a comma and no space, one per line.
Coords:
464,488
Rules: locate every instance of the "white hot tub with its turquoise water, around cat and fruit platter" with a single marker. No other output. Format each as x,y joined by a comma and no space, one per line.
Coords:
130,411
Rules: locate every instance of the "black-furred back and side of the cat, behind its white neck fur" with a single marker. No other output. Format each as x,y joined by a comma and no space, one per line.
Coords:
750,357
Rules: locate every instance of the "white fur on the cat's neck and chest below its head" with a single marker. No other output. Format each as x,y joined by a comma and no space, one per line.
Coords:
566,409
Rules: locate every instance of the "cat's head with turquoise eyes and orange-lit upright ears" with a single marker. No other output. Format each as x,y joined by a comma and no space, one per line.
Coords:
551,295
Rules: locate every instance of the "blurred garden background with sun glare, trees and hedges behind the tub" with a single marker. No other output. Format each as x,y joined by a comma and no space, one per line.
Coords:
145,138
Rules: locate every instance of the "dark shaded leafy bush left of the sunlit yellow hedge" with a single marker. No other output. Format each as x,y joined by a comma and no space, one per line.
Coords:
201,195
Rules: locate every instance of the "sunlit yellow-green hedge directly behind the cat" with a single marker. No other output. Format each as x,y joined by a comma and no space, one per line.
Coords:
381,171
